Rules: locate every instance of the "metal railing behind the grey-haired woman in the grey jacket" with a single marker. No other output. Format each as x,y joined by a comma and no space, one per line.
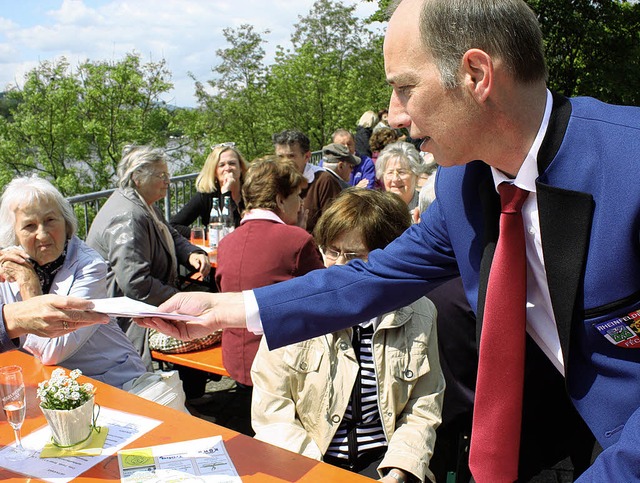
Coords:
181,189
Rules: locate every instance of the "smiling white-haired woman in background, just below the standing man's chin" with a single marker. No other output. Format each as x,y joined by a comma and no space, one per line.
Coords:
398,167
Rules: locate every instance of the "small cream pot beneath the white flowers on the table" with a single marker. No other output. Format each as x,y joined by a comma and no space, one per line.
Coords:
70,427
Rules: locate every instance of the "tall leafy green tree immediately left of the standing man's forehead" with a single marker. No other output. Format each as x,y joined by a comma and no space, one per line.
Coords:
333,73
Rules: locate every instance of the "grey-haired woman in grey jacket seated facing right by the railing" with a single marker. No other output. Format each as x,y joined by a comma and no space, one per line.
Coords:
143,251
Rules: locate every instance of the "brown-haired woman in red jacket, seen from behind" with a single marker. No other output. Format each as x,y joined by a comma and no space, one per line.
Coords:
267,248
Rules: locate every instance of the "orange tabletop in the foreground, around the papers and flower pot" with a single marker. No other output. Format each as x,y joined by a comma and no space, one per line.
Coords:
254,460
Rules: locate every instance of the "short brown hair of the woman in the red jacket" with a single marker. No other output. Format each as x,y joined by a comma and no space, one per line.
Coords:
268,177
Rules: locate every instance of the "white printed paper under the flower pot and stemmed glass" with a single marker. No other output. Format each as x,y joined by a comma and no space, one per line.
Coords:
123,429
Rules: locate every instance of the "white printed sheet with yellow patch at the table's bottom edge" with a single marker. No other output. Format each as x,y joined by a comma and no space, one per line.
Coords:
202,460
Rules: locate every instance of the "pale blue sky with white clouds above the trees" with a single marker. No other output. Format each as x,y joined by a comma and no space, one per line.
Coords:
186,33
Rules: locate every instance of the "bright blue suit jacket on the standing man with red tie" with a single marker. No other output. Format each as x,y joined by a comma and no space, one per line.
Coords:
589,208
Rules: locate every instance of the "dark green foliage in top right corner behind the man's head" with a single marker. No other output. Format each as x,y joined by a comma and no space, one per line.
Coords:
592,47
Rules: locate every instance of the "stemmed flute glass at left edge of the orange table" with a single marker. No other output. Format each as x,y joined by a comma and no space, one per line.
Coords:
14,405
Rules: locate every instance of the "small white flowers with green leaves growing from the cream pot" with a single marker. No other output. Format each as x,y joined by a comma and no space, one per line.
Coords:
64,392
